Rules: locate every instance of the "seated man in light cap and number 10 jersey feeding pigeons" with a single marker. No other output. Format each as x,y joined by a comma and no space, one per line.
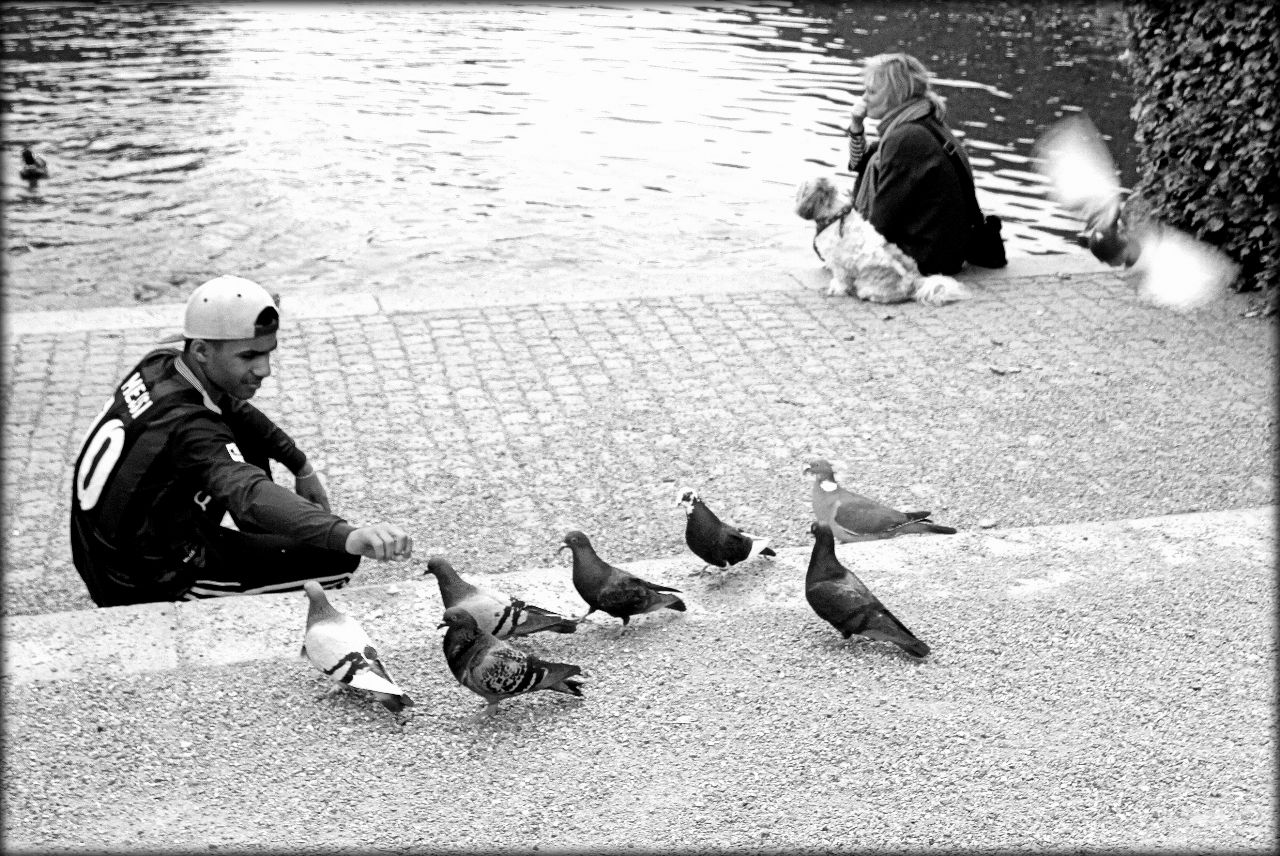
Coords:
179,448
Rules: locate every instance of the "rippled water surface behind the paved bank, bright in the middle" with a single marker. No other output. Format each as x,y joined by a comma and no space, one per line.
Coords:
363,145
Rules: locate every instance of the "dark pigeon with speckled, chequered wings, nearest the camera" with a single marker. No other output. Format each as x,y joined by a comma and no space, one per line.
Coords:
496,670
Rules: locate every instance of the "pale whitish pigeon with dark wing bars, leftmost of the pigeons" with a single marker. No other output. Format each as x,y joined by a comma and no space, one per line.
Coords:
337,646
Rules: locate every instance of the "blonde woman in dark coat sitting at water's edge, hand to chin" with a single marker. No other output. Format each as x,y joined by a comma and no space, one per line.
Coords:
909,186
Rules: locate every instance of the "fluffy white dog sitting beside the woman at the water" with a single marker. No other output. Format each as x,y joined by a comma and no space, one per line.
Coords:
860,259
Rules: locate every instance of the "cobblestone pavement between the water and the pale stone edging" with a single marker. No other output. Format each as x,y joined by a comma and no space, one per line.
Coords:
491,431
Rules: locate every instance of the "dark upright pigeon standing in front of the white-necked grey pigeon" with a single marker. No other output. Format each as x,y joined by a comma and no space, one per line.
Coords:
840,598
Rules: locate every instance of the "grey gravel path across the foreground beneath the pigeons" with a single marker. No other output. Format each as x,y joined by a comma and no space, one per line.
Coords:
1092,689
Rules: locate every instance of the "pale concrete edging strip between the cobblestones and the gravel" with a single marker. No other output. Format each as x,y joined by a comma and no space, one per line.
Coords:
152,638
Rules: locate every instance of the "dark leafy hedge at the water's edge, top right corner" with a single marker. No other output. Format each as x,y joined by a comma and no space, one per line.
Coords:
1208,80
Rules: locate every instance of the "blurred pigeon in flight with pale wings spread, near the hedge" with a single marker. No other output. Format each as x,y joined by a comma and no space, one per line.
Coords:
1171,268
